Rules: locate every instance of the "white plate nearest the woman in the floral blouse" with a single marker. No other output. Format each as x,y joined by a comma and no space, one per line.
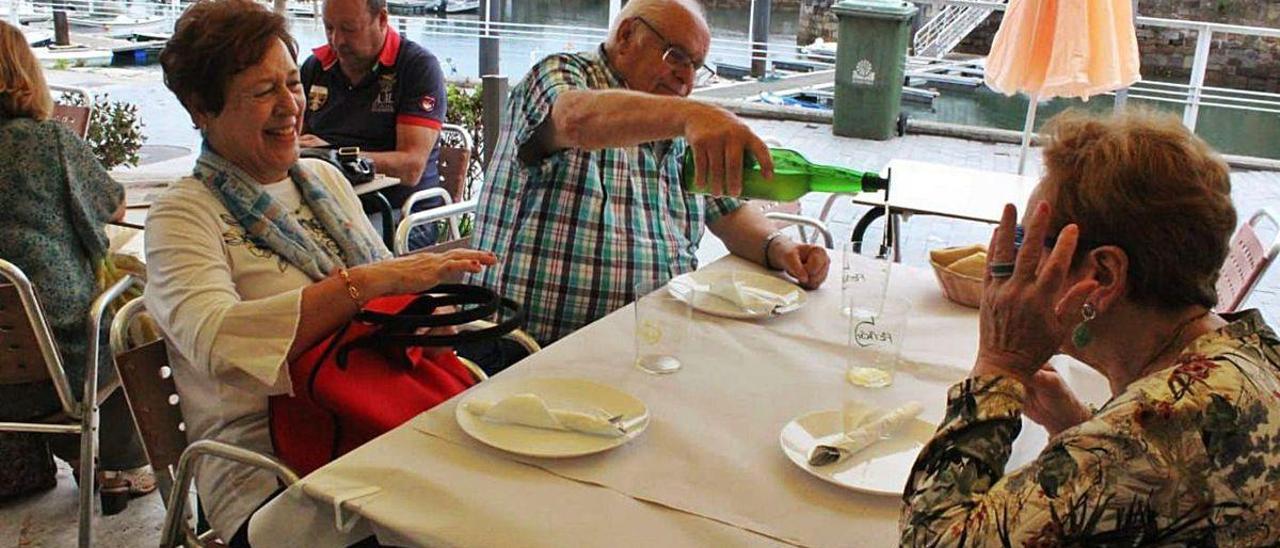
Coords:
880,469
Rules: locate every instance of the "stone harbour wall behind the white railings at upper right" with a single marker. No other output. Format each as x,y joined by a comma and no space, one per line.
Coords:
1236,61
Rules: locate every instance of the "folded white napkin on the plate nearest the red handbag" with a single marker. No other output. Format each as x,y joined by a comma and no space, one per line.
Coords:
531,410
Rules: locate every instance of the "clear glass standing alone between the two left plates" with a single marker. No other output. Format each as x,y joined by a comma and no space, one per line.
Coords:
662,327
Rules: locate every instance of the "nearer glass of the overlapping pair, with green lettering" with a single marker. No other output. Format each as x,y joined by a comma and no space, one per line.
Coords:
876,344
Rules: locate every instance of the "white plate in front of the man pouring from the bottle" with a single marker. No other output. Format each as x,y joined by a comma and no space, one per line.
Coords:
684,289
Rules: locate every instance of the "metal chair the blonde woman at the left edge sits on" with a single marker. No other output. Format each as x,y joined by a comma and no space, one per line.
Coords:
33,357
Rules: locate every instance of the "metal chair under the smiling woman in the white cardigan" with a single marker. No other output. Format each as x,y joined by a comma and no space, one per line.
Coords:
154,403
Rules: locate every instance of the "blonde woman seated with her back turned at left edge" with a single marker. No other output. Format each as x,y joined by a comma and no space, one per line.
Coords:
57,199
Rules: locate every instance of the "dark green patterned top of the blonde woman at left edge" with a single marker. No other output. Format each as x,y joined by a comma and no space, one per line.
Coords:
57,199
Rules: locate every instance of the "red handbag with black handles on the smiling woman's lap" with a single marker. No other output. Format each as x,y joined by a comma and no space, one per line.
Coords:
380,372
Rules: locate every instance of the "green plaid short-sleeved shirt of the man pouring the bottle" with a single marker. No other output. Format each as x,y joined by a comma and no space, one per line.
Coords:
578,231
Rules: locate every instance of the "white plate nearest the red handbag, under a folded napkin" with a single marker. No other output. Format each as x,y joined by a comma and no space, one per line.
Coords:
538,442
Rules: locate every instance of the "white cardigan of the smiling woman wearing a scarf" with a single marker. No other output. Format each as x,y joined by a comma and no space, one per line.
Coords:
230,312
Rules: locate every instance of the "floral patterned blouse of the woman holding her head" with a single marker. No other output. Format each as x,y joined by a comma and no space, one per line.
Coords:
1186,456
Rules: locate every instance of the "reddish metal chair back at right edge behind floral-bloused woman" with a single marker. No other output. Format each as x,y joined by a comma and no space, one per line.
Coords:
1247,262
